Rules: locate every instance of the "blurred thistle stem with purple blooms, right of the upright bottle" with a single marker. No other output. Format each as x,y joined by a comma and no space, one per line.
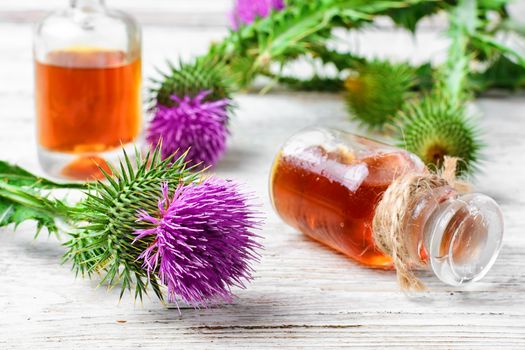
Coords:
192,101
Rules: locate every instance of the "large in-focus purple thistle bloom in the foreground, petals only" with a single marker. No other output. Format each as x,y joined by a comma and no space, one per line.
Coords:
202,241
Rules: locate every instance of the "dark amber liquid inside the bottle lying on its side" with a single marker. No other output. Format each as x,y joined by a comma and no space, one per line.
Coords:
331,197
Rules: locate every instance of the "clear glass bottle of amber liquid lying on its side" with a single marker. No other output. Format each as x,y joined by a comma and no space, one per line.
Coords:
327,183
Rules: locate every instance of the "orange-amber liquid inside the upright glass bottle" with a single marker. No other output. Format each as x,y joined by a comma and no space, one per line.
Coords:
87,101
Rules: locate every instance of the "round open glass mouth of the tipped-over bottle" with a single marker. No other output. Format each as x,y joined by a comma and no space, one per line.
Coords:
464,238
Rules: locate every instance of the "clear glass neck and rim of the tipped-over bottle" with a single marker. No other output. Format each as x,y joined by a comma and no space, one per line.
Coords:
457,235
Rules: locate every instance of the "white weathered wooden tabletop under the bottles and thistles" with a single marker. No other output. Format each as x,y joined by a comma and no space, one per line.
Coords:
303,295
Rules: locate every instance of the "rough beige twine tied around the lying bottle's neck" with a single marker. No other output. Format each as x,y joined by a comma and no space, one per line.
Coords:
393,212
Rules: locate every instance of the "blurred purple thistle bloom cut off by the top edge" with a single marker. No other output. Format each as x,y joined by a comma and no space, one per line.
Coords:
246,11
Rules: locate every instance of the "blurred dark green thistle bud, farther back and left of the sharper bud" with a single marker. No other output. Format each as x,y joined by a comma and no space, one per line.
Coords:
377,91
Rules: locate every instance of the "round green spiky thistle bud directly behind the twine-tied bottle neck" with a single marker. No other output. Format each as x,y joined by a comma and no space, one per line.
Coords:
433,129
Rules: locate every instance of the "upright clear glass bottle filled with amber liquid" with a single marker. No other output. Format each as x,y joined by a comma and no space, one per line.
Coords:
87,88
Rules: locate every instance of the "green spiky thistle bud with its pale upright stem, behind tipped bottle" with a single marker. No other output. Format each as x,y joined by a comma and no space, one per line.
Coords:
439,124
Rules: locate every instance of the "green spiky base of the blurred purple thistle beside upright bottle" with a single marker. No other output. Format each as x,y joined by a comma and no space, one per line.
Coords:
190,79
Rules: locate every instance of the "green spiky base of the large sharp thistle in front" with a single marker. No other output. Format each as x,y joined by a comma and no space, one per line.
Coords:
107,244
